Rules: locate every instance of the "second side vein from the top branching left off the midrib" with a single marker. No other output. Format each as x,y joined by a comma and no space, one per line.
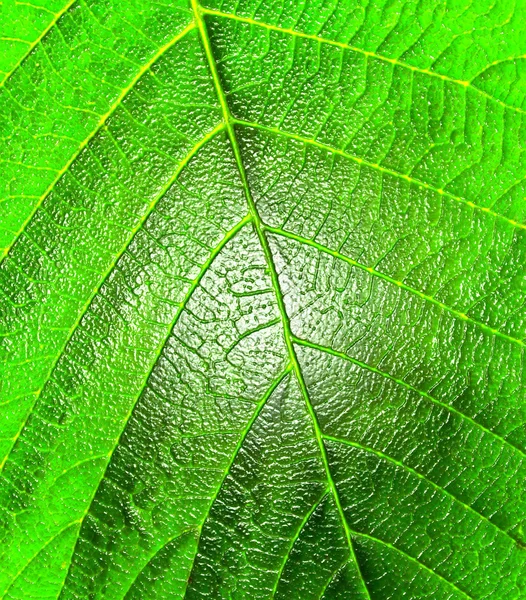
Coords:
107,273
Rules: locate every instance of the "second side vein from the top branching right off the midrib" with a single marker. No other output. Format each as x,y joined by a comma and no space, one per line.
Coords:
377,167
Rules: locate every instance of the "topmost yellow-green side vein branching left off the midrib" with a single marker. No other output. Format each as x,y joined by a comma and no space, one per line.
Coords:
101,122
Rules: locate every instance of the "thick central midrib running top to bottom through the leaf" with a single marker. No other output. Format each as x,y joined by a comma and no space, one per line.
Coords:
258,226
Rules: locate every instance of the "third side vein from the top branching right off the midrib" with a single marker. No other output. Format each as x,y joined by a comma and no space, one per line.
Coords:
456,313
